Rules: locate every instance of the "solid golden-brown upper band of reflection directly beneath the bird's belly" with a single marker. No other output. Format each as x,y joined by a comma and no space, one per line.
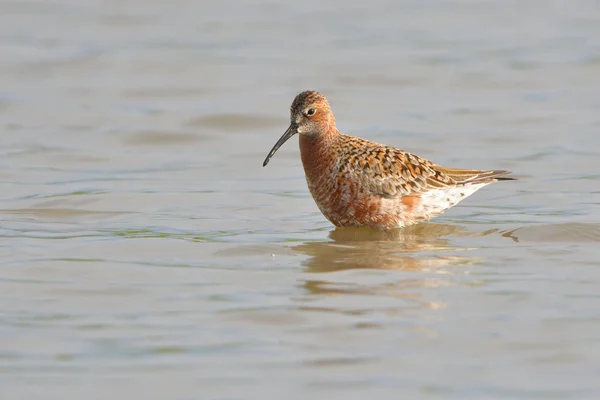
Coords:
413,248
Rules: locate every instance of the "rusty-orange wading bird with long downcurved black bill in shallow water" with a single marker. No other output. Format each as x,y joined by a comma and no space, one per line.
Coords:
358,183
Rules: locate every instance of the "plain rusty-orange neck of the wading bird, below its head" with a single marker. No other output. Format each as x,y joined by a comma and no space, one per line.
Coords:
318,151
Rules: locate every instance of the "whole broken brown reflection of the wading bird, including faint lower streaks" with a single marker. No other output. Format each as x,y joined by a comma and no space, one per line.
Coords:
421,248
